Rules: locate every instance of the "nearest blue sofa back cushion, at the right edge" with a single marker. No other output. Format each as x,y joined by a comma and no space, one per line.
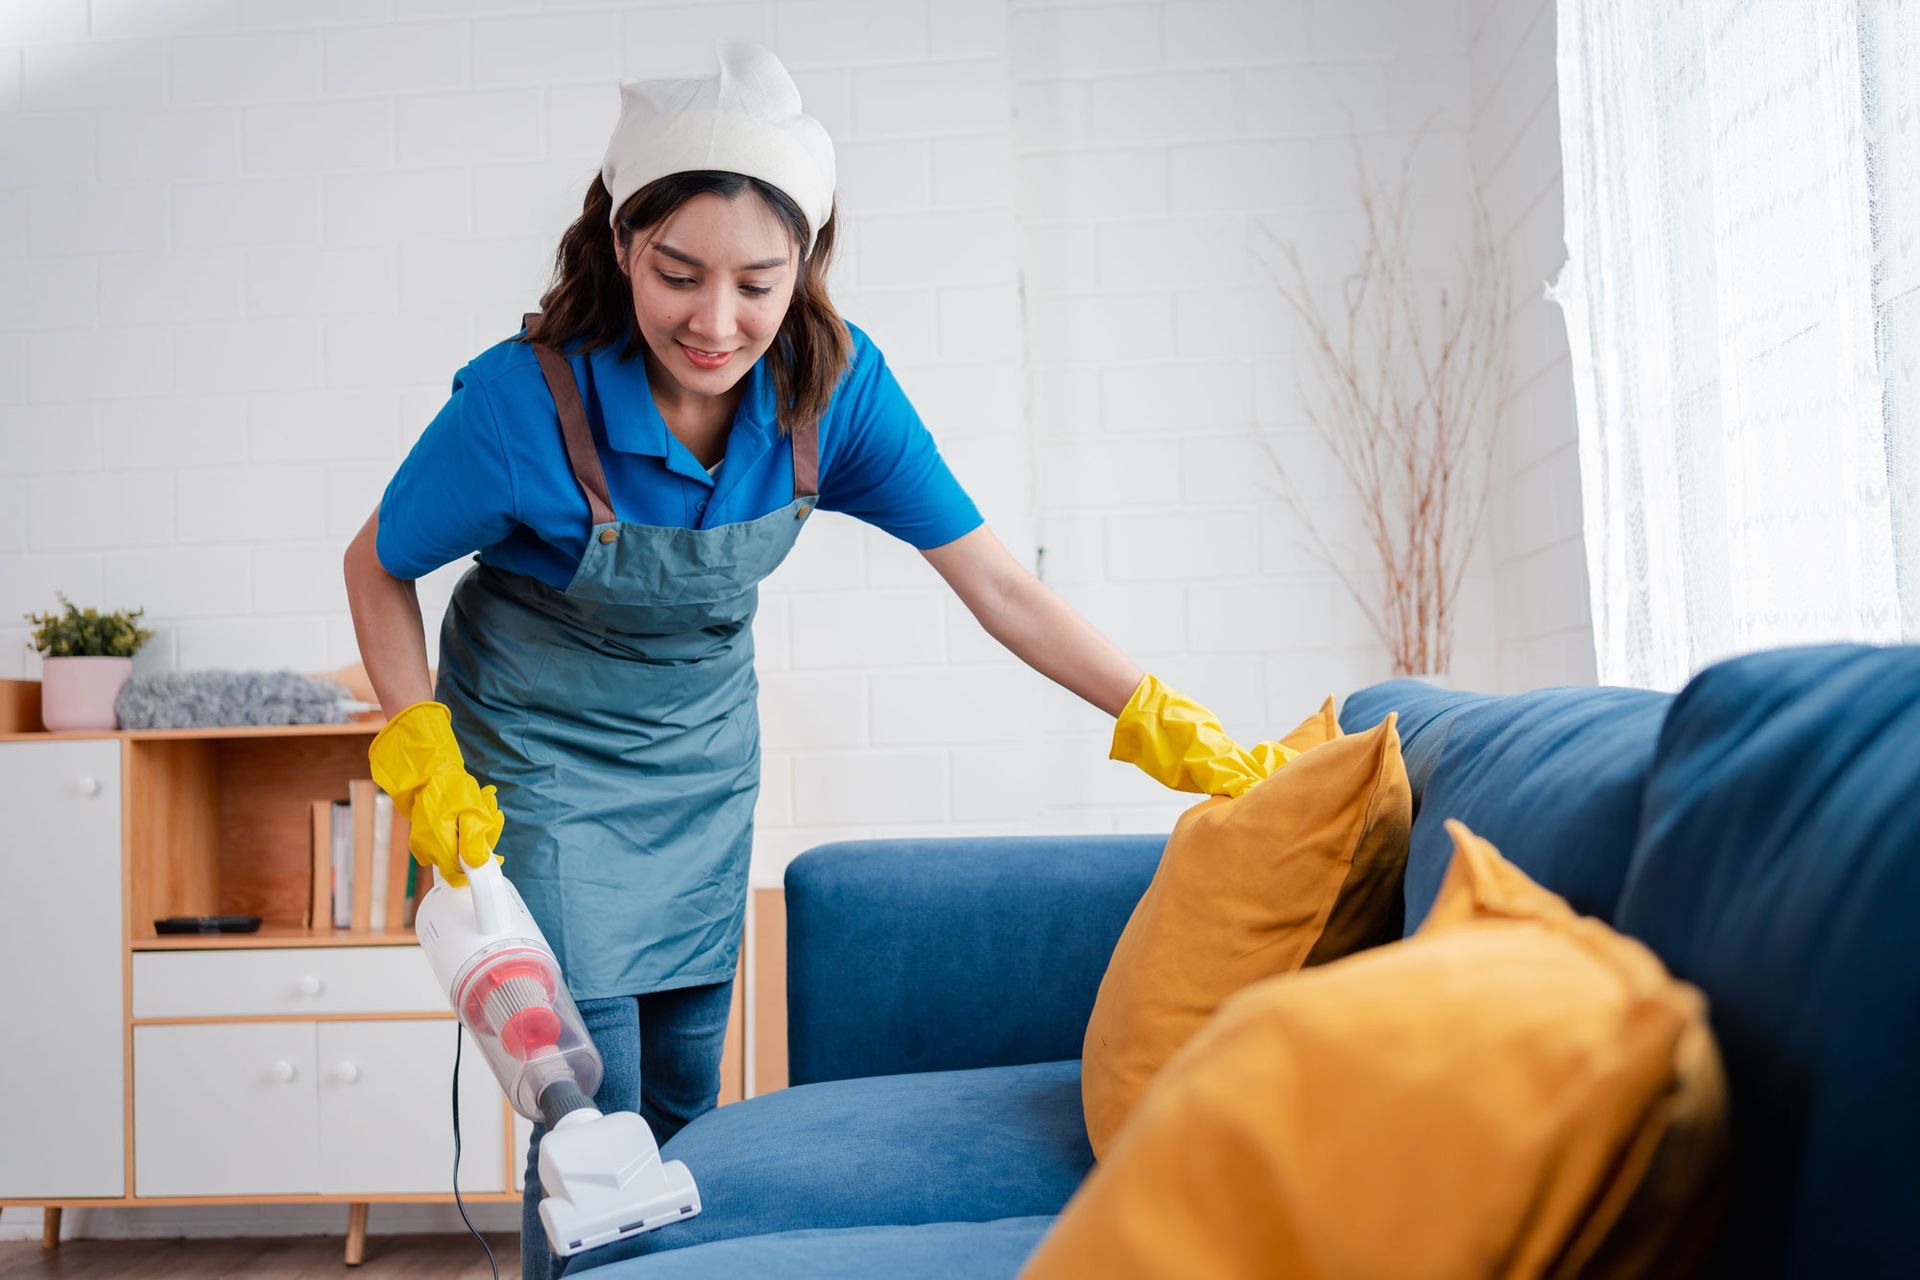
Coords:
1781,872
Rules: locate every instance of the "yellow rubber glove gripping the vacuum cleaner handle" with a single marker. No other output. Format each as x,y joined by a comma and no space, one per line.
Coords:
456,820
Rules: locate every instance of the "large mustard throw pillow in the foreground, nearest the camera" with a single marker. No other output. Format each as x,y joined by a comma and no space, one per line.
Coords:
1489,1099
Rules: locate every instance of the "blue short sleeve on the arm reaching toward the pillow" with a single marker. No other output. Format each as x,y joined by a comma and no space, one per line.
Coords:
880,462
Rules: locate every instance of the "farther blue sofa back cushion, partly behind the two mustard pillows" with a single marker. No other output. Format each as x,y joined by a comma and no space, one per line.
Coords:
1552,778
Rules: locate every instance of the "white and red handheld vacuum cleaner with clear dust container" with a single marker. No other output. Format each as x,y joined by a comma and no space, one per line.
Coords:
602,1175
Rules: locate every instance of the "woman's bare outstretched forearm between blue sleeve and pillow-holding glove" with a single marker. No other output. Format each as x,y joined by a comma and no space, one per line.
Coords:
1036,625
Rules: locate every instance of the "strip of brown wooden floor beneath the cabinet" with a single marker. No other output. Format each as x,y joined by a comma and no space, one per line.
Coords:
306,1258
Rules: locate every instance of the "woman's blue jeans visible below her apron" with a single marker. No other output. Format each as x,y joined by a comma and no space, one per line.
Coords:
681,1033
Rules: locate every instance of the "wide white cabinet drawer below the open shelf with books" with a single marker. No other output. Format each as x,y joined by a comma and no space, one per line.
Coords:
320,980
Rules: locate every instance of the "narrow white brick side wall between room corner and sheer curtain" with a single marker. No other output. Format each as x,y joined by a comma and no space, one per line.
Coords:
1545,623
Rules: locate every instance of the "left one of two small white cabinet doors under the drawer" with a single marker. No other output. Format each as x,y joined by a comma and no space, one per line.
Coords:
226,1110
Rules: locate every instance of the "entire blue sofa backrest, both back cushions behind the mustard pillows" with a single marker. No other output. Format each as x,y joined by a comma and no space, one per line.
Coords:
1762,834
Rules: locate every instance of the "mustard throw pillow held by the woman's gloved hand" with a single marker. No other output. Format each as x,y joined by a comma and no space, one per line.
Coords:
1303,868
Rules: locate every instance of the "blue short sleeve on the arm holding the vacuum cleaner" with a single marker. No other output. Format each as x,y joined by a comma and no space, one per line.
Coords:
454,494
